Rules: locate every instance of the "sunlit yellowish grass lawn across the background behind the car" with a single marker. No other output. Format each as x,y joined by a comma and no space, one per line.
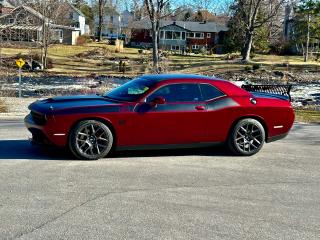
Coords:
65,61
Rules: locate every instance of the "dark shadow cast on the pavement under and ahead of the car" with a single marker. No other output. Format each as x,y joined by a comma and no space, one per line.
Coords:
25,150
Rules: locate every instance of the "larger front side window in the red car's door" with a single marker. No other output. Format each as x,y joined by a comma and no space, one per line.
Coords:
178,93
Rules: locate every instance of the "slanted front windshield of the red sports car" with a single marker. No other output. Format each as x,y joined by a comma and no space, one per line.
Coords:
131,91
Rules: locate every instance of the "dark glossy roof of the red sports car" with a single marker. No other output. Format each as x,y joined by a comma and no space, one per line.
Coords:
175,76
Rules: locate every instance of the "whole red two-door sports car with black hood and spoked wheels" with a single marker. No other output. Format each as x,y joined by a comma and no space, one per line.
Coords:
162,111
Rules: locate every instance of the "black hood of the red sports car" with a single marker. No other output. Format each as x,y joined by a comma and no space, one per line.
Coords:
73,104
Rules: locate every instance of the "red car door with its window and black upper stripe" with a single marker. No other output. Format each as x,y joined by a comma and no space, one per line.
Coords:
180,120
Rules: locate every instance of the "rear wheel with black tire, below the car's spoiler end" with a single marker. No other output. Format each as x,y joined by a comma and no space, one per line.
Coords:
247,137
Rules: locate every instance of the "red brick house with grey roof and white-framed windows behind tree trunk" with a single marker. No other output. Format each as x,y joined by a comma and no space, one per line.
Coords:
181,35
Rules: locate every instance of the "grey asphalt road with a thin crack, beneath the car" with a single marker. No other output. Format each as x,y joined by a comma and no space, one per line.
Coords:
185,194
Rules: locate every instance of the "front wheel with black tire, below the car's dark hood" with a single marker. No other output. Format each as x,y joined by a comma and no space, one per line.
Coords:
90,140
